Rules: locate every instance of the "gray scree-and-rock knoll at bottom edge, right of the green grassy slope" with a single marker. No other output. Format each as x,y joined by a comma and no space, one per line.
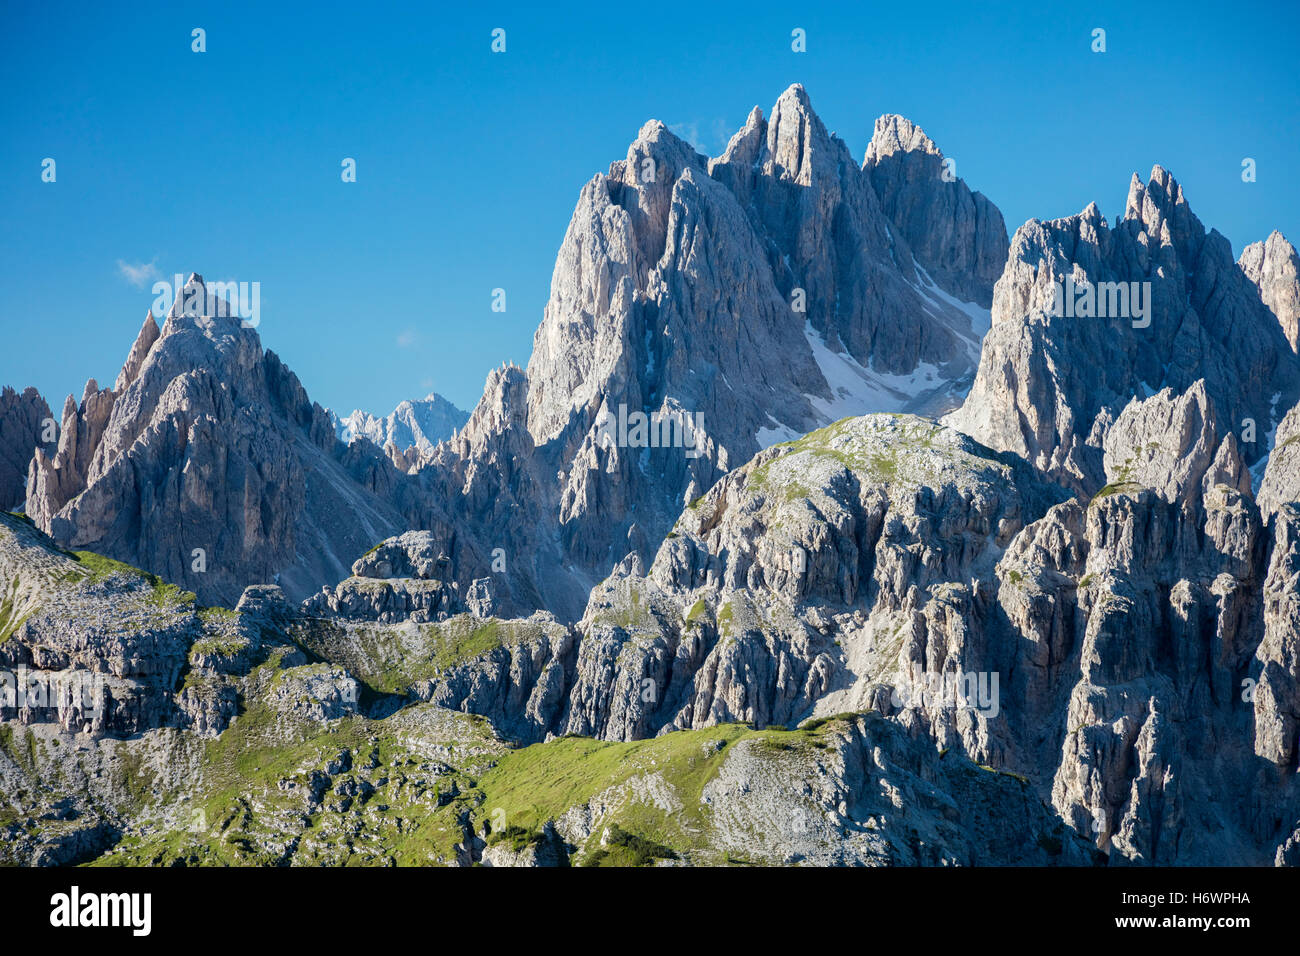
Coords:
868,769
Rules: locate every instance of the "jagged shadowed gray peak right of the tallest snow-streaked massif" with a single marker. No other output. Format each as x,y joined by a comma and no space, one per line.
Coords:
1050,386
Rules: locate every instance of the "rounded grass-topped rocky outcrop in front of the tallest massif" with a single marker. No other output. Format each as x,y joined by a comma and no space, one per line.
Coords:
809,582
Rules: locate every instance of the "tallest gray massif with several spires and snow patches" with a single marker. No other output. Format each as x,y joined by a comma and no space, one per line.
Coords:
740,300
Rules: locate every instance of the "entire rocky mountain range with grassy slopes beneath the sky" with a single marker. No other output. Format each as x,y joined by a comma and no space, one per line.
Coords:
955,550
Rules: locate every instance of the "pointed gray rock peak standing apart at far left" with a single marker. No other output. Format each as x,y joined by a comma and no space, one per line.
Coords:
209,465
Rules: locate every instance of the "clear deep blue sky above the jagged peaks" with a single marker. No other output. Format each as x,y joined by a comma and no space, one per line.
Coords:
470,163
